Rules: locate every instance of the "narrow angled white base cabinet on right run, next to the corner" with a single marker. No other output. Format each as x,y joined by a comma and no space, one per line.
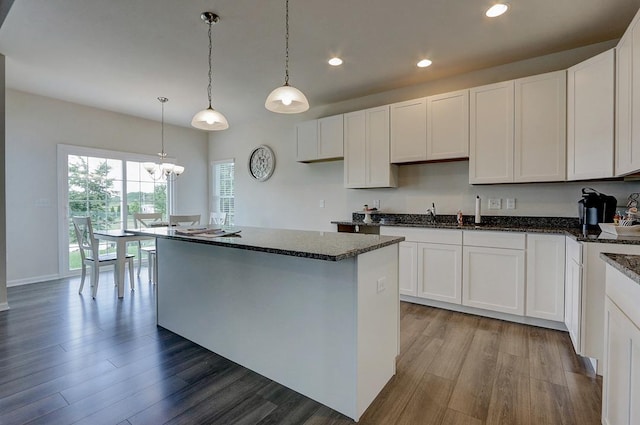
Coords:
573,291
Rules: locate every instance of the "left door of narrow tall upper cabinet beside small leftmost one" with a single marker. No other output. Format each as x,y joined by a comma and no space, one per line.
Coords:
355,149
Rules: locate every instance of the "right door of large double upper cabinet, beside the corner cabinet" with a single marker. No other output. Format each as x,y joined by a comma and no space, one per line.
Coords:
540,128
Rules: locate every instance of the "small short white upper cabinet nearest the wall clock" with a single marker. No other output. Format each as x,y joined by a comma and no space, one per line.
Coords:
320,140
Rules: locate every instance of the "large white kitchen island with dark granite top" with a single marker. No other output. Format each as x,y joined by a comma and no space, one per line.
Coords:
315,311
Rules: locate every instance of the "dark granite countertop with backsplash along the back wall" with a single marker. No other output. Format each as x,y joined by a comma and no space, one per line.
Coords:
553,225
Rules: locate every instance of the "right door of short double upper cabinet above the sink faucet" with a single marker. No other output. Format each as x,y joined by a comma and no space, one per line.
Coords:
448,125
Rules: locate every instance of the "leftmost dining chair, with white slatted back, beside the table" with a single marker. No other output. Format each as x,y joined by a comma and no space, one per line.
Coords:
90,254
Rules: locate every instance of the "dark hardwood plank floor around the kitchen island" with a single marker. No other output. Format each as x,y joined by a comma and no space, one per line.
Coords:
65,358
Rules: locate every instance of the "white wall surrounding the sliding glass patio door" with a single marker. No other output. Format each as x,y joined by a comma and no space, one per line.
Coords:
35,125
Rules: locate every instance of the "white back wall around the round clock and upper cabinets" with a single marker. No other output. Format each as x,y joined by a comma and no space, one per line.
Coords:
290,199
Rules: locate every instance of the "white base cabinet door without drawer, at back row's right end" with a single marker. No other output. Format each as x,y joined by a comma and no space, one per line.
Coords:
545,276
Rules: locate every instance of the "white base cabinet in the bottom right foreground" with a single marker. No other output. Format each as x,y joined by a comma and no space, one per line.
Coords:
621,380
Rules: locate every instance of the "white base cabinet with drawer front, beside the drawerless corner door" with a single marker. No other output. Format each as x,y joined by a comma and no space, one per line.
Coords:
493,271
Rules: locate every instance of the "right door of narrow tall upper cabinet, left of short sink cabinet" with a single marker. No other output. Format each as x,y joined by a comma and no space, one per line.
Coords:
379,170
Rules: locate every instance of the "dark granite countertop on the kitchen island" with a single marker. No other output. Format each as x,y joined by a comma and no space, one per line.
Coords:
329,246
